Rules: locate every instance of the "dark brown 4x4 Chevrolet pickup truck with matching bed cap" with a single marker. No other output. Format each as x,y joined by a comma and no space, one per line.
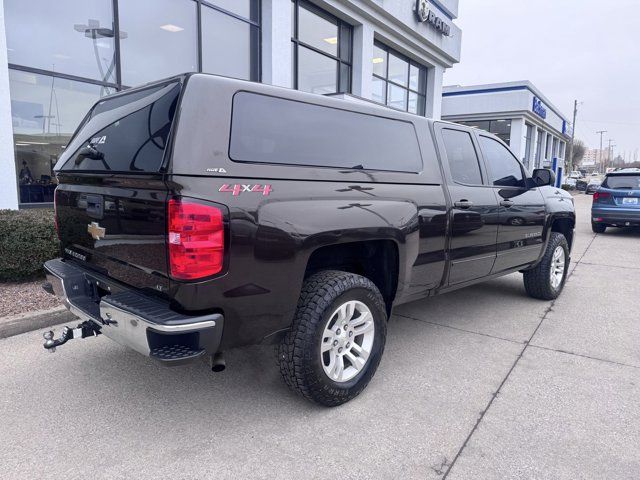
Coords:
250,214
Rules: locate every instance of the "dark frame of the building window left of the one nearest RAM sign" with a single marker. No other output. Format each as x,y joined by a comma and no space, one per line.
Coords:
341,25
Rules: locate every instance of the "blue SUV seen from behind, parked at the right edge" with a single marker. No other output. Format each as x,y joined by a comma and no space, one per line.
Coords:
617,201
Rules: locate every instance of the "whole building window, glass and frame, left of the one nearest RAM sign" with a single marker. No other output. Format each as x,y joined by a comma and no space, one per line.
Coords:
321,50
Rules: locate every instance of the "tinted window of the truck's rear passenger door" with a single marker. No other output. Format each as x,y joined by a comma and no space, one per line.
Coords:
462,157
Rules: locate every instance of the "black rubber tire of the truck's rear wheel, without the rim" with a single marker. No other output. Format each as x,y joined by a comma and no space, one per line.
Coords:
299,353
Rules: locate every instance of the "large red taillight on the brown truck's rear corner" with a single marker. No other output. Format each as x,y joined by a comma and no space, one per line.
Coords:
196,239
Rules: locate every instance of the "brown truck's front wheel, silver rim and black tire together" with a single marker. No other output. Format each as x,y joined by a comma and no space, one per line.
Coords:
547,279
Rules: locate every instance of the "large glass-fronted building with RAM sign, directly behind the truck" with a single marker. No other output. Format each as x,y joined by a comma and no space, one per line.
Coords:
58,58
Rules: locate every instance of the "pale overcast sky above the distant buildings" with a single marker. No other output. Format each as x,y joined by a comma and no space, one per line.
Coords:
570,49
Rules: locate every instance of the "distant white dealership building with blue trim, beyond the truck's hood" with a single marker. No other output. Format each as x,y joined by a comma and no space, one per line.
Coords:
519,114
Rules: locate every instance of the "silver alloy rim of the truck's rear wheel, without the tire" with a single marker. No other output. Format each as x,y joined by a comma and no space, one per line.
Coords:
347,341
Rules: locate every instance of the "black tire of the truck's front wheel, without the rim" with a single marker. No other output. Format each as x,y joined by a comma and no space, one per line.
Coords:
537,281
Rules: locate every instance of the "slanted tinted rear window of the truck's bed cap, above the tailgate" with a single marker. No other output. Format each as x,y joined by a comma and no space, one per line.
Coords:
128,133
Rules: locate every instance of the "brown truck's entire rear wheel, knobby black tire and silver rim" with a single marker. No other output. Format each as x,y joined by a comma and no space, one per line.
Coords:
336,340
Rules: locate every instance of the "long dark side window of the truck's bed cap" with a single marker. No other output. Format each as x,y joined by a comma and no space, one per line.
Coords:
274,130
